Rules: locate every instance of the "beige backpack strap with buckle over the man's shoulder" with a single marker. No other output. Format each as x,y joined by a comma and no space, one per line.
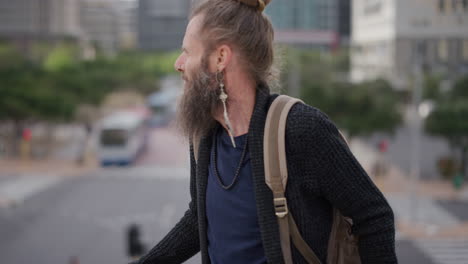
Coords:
276,176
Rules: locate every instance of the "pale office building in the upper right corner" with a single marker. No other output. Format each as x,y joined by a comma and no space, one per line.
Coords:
390,37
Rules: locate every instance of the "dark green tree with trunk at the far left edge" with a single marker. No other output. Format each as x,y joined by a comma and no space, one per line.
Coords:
27,95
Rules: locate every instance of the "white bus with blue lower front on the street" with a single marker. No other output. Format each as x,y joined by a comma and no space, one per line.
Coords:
122,137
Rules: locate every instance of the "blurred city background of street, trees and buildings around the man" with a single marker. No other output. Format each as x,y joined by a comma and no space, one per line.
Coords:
92,169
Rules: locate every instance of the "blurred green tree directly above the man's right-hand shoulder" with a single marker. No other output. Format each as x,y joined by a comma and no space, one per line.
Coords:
360,109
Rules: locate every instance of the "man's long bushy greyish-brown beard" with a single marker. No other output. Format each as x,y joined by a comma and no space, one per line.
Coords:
197,105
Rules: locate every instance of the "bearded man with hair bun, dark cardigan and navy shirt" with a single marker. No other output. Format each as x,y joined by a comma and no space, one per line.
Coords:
226,64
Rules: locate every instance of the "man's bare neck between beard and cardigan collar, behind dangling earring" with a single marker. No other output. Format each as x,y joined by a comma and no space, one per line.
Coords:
240,105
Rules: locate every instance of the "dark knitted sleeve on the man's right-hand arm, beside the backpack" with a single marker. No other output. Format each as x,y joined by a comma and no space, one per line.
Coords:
344,183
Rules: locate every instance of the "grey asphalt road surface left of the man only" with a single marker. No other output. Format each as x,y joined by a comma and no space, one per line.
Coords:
87,216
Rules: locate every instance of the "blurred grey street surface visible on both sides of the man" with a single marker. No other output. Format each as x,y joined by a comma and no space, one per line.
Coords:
48,218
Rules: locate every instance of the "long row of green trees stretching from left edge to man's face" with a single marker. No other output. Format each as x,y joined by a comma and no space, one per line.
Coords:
51,82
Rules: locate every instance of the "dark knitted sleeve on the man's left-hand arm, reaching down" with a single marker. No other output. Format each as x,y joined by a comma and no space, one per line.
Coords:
182,242
